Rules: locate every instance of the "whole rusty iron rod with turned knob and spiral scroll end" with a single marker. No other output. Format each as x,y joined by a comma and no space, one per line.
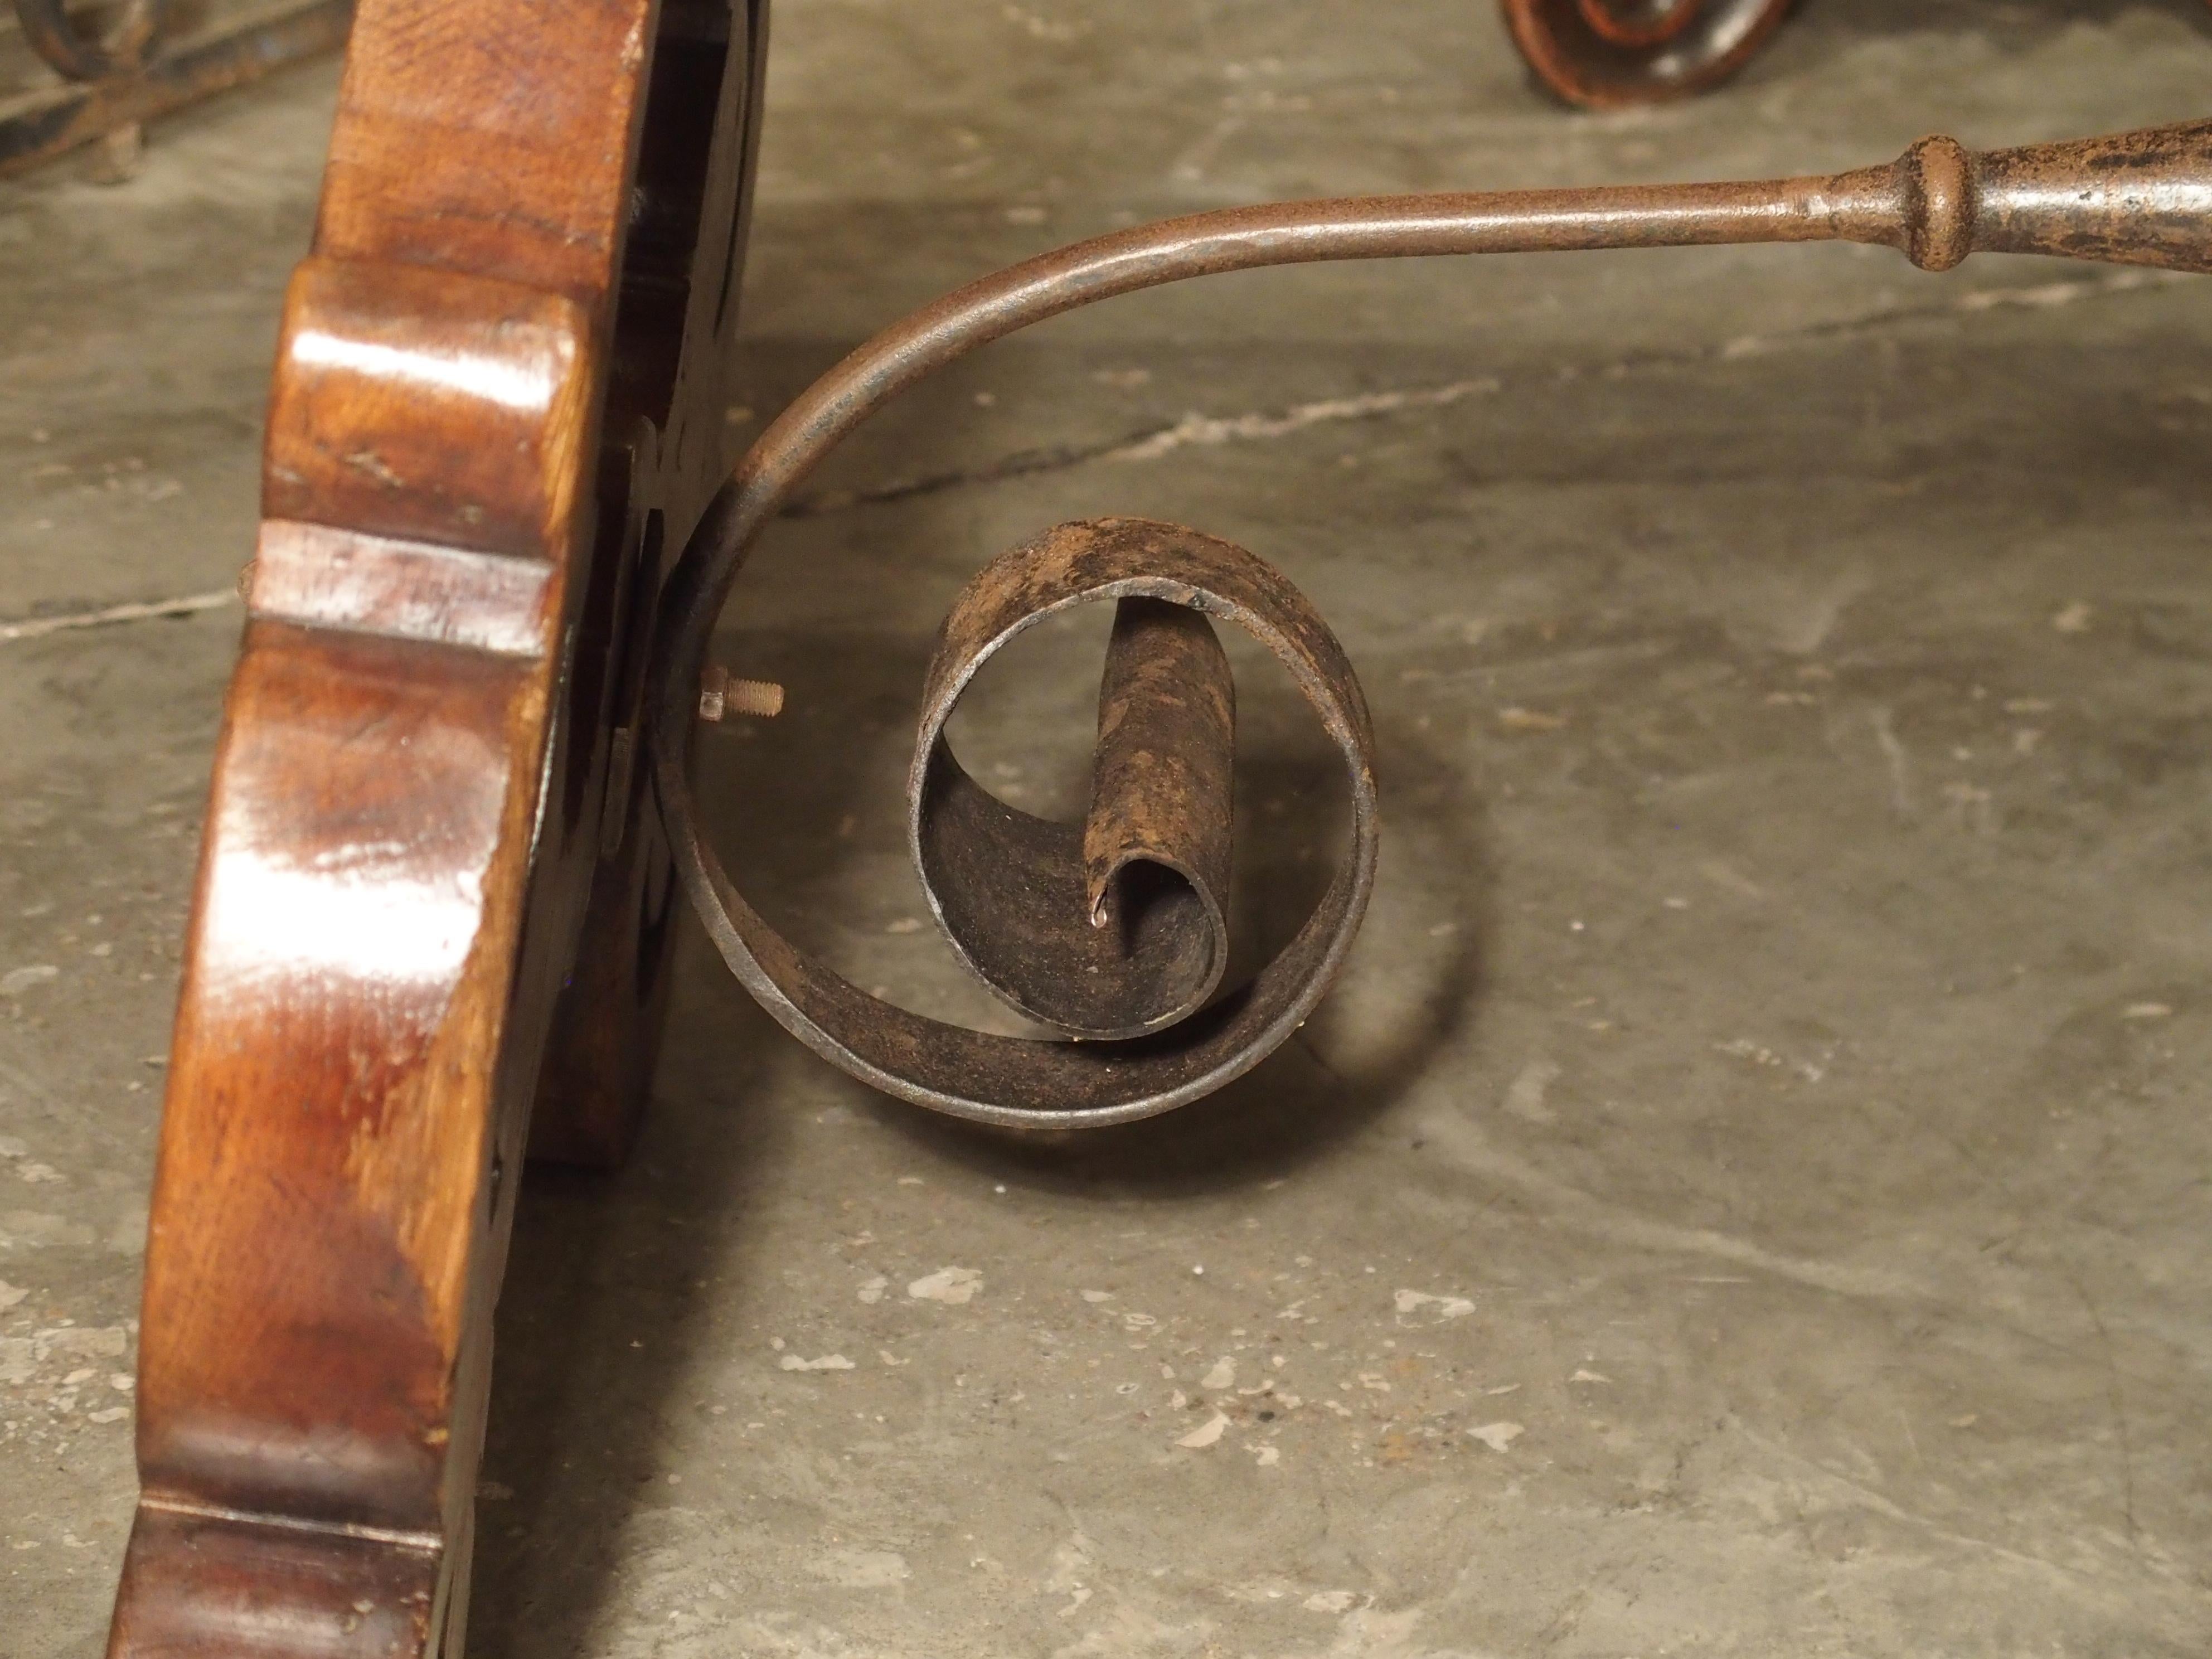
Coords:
1023,899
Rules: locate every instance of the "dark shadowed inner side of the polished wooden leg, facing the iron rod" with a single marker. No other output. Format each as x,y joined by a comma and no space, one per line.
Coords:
665,452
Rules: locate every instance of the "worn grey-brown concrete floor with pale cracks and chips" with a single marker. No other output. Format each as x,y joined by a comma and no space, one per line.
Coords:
1749,1193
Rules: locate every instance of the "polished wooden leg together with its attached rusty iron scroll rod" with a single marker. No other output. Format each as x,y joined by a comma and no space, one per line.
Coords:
452,800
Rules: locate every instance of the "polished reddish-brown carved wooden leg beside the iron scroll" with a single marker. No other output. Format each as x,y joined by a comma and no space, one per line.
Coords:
497,404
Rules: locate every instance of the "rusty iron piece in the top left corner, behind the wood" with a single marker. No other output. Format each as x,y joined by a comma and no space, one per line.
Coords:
125,76
